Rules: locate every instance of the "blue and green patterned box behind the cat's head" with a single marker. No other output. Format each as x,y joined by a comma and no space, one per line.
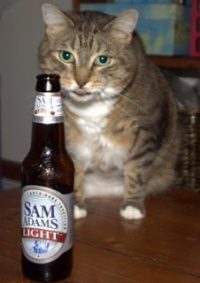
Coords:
164,28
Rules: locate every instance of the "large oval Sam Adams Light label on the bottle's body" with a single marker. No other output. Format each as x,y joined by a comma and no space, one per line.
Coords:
46,223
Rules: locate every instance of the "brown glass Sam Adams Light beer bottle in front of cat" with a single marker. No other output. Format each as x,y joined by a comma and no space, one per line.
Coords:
47,190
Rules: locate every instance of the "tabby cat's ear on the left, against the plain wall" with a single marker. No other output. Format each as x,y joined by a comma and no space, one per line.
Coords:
54,19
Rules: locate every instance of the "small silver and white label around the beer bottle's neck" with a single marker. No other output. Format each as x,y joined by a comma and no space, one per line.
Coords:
48,108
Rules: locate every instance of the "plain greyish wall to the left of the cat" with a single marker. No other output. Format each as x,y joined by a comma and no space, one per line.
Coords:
21,29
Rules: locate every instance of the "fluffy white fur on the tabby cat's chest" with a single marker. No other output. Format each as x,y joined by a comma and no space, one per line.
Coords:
98,148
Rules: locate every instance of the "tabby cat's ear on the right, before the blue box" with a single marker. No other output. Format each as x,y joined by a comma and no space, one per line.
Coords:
123,25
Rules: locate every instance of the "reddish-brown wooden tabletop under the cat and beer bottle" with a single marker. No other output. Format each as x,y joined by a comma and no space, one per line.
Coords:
163,248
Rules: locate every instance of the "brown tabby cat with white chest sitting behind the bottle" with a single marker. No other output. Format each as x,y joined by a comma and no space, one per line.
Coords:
120,115
